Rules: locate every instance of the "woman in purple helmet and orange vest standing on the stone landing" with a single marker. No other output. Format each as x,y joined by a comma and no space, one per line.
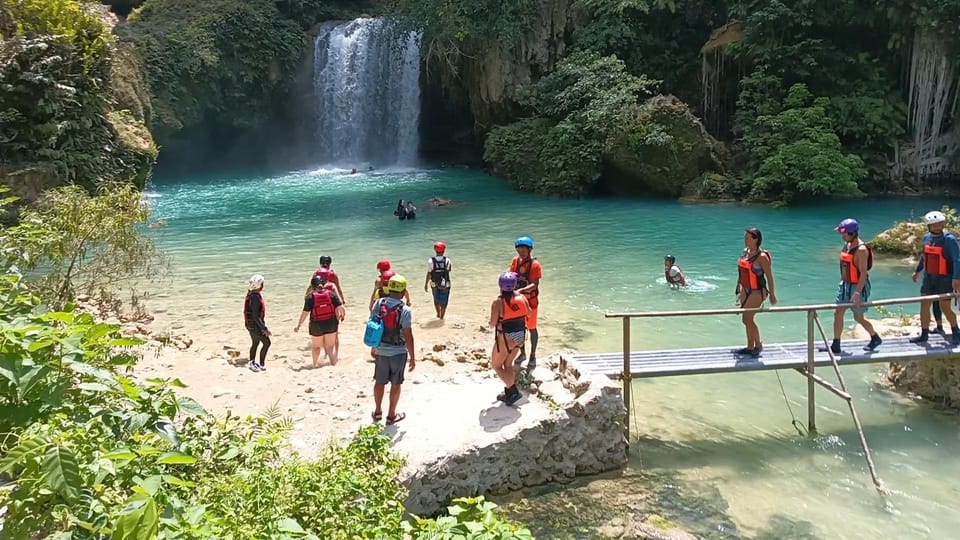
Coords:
508,315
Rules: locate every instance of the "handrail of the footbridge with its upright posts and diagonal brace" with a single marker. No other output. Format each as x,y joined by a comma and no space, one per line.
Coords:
813,324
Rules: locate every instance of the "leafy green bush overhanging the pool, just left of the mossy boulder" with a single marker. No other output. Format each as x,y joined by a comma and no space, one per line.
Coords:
578,107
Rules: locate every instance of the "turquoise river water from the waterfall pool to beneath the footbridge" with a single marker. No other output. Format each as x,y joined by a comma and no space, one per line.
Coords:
726,436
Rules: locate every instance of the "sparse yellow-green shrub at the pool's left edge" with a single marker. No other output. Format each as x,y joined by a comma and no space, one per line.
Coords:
71,241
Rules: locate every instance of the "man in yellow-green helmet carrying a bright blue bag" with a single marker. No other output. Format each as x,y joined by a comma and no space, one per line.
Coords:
396,349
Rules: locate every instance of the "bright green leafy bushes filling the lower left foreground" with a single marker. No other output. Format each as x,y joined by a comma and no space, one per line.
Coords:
93,454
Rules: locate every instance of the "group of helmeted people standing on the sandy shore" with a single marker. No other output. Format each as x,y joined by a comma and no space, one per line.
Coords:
512,314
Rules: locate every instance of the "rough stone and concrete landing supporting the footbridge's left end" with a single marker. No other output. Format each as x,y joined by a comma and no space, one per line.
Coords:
580,431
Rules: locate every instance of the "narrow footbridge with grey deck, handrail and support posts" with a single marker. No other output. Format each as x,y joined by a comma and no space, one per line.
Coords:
802,357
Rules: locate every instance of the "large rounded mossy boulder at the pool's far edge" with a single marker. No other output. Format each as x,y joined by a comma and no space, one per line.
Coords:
663,150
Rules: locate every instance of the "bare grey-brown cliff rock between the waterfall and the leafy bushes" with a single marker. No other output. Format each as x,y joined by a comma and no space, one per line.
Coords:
494,76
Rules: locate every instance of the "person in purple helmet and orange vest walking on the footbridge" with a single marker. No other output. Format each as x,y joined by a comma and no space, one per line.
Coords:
856,260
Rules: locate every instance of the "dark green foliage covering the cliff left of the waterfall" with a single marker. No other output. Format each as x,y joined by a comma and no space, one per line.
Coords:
218,61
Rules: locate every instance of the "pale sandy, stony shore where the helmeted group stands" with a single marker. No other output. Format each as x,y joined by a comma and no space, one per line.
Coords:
452,374
